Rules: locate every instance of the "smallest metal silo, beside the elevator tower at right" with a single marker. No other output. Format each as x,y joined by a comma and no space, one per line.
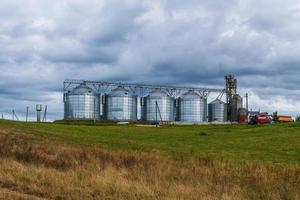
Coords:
217,111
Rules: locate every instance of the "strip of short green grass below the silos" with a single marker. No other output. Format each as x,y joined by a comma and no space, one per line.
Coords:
278,143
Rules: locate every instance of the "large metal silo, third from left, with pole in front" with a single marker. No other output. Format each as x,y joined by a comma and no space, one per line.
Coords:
165,105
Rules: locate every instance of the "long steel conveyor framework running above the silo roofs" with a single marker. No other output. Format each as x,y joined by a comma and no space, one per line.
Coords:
138,88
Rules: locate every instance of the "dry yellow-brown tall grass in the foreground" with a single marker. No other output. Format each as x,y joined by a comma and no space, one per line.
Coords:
30,170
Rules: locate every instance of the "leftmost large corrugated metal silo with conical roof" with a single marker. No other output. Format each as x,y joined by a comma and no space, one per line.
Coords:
81,103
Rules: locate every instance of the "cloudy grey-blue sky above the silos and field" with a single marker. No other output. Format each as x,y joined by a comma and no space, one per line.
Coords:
191,42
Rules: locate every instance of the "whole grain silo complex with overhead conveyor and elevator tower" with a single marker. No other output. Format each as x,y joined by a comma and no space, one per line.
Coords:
149,103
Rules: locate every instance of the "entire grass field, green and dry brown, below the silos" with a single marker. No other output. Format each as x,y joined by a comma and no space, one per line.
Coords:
59,161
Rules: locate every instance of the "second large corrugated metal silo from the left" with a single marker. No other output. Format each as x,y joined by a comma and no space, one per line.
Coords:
121,105
